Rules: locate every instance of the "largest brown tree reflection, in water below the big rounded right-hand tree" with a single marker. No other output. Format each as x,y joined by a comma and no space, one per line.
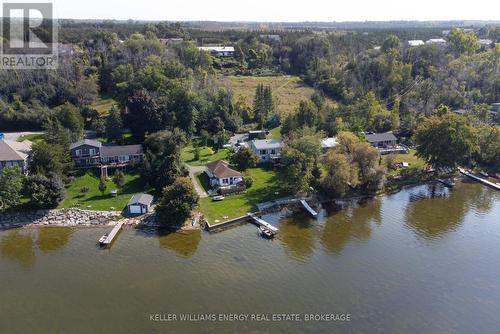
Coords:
434,210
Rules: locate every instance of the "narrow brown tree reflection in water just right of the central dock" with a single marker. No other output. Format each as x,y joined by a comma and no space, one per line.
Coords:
298,236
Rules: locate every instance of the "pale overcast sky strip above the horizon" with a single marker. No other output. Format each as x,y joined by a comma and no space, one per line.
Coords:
278,10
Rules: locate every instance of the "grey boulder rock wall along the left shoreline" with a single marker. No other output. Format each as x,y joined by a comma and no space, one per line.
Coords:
58,217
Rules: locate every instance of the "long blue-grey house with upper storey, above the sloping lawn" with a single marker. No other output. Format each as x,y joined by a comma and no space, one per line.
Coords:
89,153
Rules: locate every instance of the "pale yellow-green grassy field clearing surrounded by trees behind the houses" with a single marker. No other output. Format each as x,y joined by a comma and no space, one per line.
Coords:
289,90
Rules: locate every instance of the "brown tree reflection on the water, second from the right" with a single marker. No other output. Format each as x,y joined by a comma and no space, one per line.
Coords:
353,222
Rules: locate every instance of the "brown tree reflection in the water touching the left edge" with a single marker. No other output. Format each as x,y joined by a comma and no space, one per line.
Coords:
18,247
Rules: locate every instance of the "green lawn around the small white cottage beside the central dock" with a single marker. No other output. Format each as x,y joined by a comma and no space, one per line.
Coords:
265,184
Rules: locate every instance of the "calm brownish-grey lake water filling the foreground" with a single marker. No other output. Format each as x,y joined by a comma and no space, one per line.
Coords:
423,260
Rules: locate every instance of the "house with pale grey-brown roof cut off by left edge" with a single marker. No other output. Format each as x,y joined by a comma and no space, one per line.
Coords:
13,153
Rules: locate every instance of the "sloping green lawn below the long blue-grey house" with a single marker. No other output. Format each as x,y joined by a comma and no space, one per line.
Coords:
94,199
